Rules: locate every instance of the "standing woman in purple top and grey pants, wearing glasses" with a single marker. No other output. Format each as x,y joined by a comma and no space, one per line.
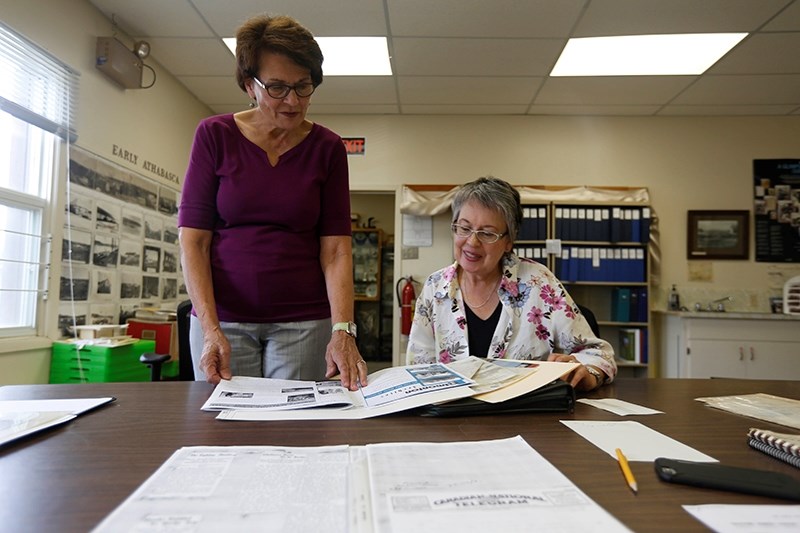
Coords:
265,224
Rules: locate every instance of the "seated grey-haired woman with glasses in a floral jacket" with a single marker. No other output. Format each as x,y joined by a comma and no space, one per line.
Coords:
491,303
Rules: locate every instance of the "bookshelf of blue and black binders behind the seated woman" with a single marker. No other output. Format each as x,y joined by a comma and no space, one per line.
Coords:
599,249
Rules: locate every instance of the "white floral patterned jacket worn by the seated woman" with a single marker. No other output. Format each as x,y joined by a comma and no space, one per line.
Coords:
538,318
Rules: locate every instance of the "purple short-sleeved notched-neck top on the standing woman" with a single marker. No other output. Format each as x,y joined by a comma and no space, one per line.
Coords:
266,220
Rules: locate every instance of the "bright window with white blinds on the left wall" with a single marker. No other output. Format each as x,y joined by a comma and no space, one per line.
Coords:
36,95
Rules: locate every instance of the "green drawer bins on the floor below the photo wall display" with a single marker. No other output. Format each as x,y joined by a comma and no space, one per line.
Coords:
86,363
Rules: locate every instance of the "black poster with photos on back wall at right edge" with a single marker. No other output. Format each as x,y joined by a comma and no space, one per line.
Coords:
777,210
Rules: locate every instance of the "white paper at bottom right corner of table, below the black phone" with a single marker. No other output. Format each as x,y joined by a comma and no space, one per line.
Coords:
747,518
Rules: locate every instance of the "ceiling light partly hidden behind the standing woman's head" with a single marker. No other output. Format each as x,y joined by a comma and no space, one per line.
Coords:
348,56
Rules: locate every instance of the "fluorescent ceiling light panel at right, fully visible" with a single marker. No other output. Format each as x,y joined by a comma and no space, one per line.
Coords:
644,55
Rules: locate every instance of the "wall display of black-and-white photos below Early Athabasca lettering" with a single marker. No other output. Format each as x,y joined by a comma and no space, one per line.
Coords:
119,250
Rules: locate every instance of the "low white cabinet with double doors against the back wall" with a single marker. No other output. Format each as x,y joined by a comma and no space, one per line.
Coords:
736,346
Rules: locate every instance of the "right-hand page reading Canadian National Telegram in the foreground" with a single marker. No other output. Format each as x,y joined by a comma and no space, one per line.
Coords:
503,485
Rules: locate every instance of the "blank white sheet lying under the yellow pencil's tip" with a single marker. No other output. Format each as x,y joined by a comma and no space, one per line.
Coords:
637,441
